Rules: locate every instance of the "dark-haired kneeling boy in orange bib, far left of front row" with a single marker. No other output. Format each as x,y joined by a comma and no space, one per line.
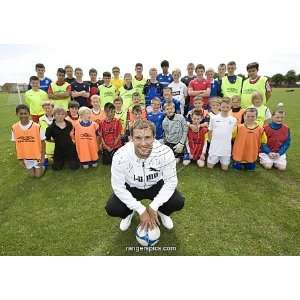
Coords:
30,142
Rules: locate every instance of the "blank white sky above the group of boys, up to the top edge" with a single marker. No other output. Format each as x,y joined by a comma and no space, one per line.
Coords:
123,33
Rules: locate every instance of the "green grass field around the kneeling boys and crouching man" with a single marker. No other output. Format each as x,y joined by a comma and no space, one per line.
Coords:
233,213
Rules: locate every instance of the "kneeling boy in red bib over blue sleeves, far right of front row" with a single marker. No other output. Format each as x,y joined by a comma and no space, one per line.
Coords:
273,153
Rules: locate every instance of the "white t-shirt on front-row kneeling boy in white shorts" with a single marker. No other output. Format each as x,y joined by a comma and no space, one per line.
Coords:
222,128
